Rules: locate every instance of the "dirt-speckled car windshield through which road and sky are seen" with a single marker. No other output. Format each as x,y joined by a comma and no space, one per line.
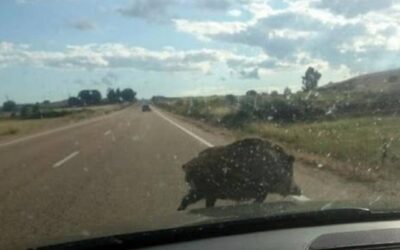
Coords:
130,116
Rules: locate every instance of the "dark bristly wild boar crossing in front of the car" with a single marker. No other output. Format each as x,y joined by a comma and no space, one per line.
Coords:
244,170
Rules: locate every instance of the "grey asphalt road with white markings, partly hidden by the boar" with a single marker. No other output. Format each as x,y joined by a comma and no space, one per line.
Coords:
115,174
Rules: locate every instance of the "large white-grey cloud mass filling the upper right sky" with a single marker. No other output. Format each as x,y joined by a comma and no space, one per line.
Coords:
363,42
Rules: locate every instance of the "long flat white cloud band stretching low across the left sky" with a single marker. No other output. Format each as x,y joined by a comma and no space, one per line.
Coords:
110,56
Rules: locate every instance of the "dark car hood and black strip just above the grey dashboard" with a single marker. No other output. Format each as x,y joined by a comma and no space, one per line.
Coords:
207,222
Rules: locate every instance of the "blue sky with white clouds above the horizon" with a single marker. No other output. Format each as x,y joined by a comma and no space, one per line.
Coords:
51,49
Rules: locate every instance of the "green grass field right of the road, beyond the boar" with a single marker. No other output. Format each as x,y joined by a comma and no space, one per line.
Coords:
359,141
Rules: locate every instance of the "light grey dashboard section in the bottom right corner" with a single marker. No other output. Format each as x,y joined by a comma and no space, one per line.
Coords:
367,235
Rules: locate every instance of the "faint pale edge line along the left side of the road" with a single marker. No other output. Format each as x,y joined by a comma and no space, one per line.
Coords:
49,132
